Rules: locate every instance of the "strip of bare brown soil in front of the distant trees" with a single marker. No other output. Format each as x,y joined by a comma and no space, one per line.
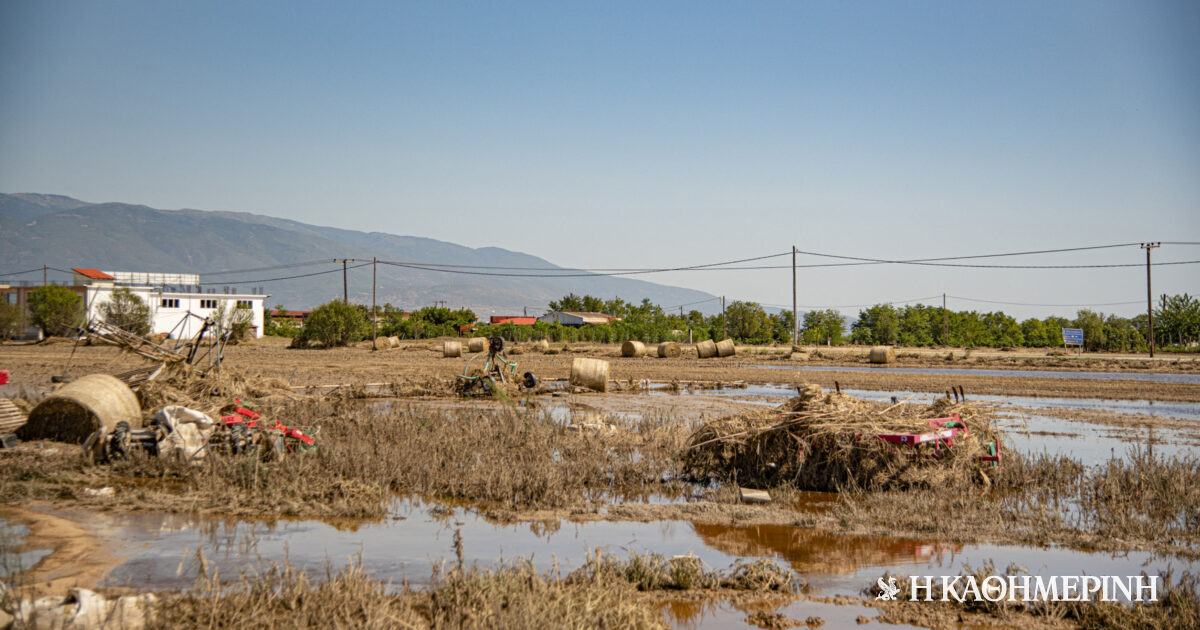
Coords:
418,363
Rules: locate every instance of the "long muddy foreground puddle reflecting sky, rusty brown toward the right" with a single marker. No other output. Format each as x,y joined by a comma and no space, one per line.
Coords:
161,549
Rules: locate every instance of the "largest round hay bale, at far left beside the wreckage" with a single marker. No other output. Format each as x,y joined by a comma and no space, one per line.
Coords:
82,407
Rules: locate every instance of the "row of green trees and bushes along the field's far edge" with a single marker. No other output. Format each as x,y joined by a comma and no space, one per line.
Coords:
1178,323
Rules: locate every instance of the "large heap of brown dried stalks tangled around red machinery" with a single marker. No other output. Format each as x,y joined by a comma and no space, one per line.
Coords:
836,442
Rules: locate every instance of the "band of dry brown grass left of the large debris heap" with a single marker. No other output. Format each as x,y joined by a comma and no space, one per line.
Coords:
368,454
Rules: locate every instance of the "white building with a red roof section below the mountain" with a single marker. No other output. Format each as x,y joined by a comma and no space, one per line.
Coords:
178,305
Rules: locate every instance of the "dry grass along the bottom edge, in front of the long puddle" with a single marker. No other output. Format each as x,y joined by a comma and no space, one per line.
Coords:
604,593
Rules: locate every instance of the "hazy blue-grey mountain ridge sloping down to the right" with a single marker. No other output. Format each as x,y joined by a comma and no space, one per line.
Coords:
63,232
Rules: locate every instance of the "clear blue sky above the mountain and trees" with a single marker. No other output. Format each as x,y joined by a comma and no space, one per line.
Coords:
644,135
